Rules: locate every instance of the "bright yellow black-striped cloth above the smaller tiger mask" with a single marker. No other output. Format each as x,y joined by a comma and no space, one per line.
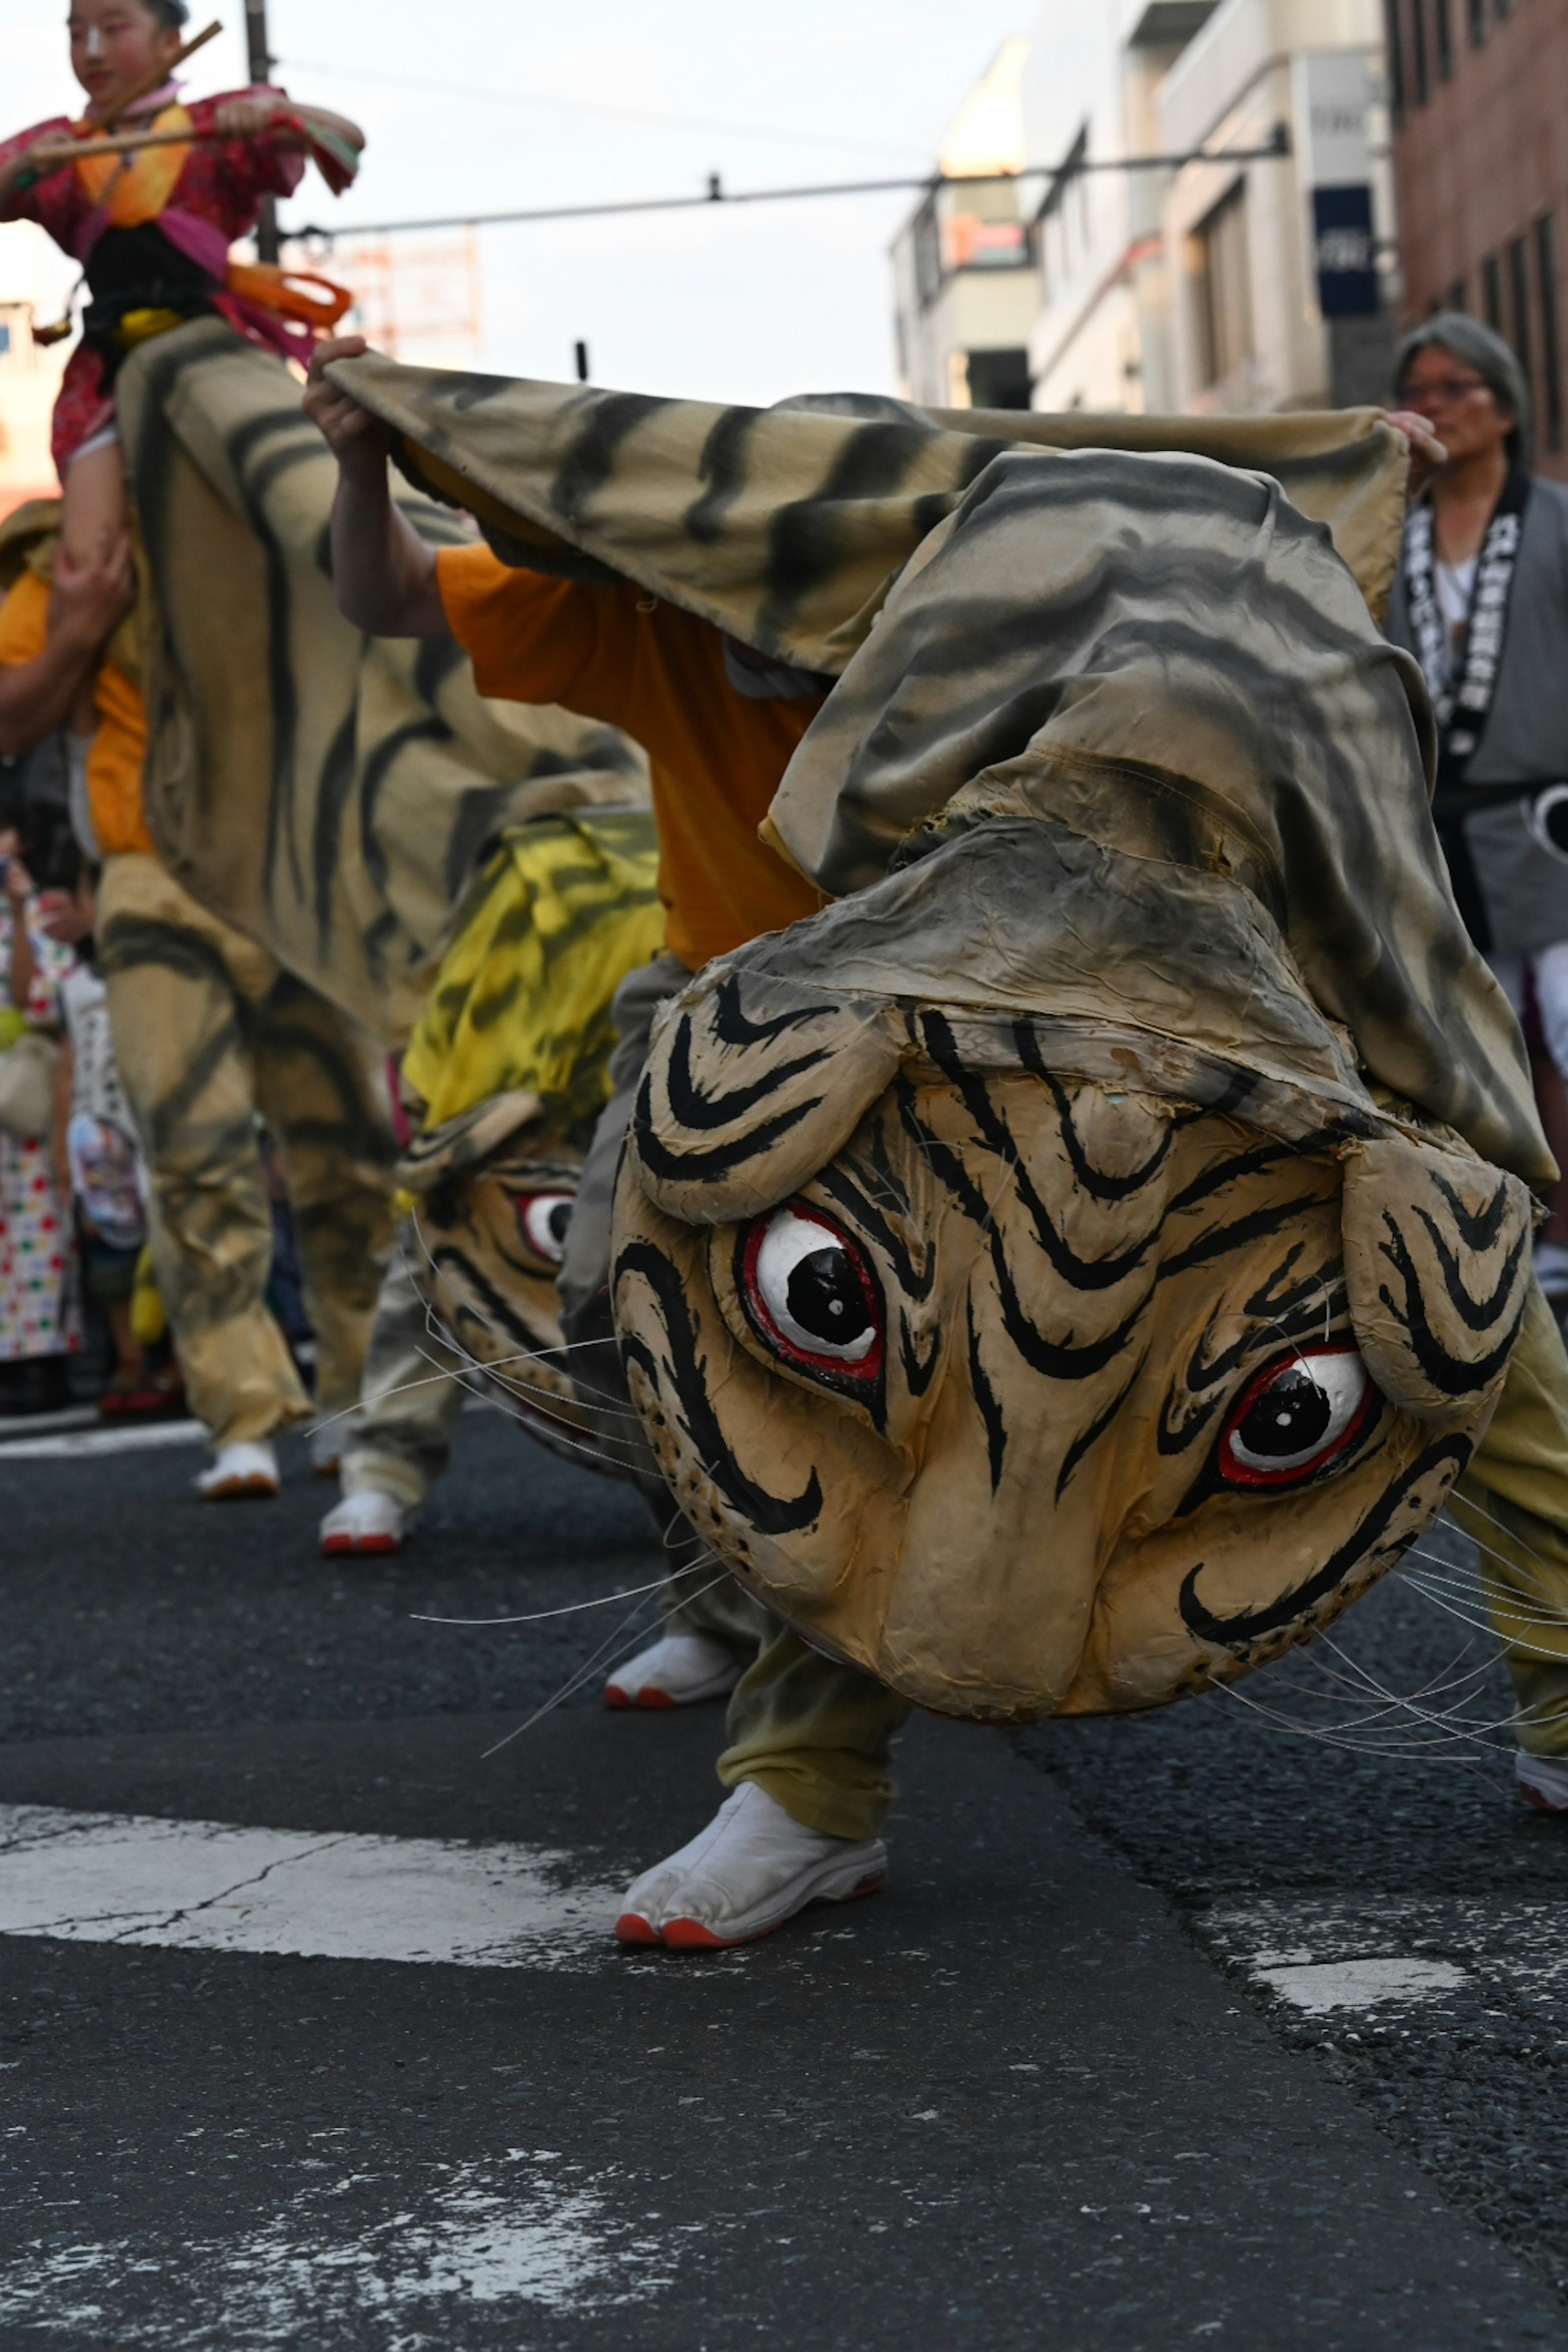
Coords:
509,1008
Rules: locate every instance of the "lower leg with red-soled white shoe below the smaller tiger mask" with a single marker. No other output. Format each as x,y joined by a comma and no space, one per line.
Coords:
410,1398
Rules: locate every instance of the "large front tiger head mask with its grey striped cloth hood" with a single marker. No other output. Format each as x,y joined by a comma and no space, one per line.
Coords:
1076,1264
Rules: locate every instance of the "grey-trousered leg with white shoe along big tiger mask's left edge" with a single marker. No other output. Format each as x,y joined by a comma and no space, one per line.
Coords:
711,1624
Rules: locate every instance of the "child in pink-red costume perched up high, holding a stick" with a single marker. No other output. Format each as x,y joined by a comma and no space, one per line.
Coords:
152,229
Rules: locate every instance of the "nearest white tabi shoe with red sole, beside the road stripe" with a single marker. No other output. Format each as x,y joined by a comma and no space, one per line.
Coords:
744,1876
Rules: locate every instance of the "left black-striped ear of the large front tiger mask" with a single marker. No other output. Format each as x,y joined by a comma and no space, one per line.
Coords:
751,1088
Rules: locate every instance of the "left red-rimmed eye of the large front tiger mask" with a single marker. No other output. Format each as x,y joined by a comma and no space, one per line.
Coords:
812,1297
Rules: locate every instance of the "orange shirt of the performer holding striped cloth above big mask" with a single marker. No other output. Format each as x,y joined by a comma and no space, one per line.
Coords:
716,756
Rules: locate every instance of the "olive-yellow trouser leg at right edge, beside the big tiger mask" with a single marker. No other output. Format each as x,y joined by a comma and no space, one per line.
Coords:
1515,1506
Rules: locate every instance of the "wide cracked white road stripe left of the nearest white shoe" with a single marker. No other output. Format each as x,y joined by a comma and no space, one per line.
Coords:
208,1885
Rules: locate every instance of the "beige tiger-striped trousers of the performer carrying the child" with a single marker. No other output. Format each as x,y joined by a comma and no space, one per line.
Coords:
208,1034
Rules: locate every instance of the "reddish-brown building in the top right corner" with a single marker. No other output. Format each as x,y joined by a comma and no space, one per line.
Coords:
1482,166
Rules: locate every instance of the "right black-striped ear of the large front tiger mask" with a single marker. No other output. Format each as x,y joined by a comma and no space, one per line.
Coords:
1438,1269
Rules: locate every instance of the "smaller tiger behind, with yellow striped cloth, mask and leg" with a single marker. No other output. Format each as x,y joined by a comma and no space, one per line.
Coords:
504,1078
